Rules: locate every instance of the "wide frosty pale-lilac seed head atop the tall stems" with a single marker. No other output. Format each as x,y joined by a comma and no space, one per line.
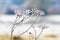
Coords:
32,11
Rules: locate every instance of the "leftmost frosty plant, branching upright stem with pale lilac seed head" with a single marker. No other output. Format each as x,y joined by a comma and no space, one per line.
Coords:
18,15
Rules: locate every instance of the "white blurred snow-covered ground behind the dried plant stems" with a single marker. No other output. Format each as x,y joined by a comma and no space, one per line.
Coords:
53,21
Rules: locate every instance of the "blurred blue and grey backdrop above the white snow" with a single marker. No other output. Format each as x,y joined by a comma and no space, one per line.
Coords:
48,6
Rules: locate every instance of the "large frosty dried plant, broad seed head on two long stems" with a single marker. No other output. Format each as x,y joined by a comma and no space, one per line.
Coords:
24,13
